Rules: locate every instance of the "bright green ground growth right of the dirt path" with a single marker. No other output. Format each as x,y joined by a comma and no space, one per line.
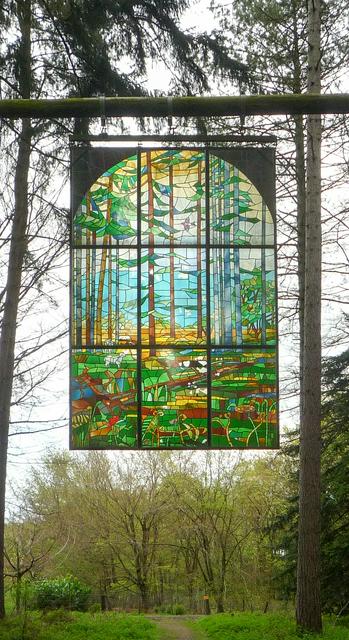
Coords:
254,626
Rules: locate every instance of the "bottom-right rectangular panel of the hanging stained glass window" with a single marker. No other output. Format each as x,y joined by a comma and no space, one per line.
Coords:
243,399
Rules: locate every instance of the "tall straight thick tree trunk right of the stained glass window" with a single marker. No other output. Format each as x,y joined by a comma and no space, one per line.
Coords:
308,575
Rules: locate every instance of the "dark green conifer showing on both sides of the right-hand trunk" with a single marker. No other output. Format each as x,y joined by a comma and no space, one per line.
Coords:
334,495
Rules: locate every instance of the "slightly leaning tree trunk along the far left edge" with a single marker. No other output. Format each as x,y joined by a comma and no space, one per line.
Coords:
18,248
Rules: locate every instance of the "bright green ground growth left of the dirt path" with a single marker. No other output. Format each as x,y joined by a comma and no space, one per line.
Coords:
63,625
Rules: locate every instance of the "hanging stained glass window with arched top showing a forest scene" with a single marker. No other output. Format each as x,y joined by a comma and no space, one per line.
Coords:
173,321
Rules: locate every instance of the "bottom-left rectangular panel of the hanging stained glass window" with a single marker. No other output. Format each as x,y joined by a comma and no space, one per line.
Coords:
104,399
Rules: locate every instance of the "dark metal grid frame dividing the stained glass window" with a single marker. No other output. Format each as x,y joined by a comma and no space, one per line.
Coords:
207,346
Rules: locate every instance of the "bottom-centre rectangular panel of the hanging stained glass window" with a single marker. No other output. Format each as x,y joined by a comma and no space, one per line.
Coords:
174,399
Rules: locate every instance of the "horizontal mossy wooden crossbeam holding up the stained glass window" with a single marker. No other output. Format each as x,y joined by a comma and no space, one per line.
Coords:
176,106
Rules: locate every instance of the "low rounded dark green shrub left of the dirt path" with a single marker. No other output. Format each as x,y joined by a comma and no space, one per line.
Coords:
65,593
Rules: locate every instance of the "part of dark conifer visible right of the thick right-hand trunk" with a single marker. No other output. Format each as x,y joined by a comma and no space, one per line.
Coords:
335,489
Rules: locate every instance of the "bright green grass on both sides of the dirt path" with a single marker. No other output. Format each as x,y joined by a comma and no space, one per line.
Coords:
63,625
